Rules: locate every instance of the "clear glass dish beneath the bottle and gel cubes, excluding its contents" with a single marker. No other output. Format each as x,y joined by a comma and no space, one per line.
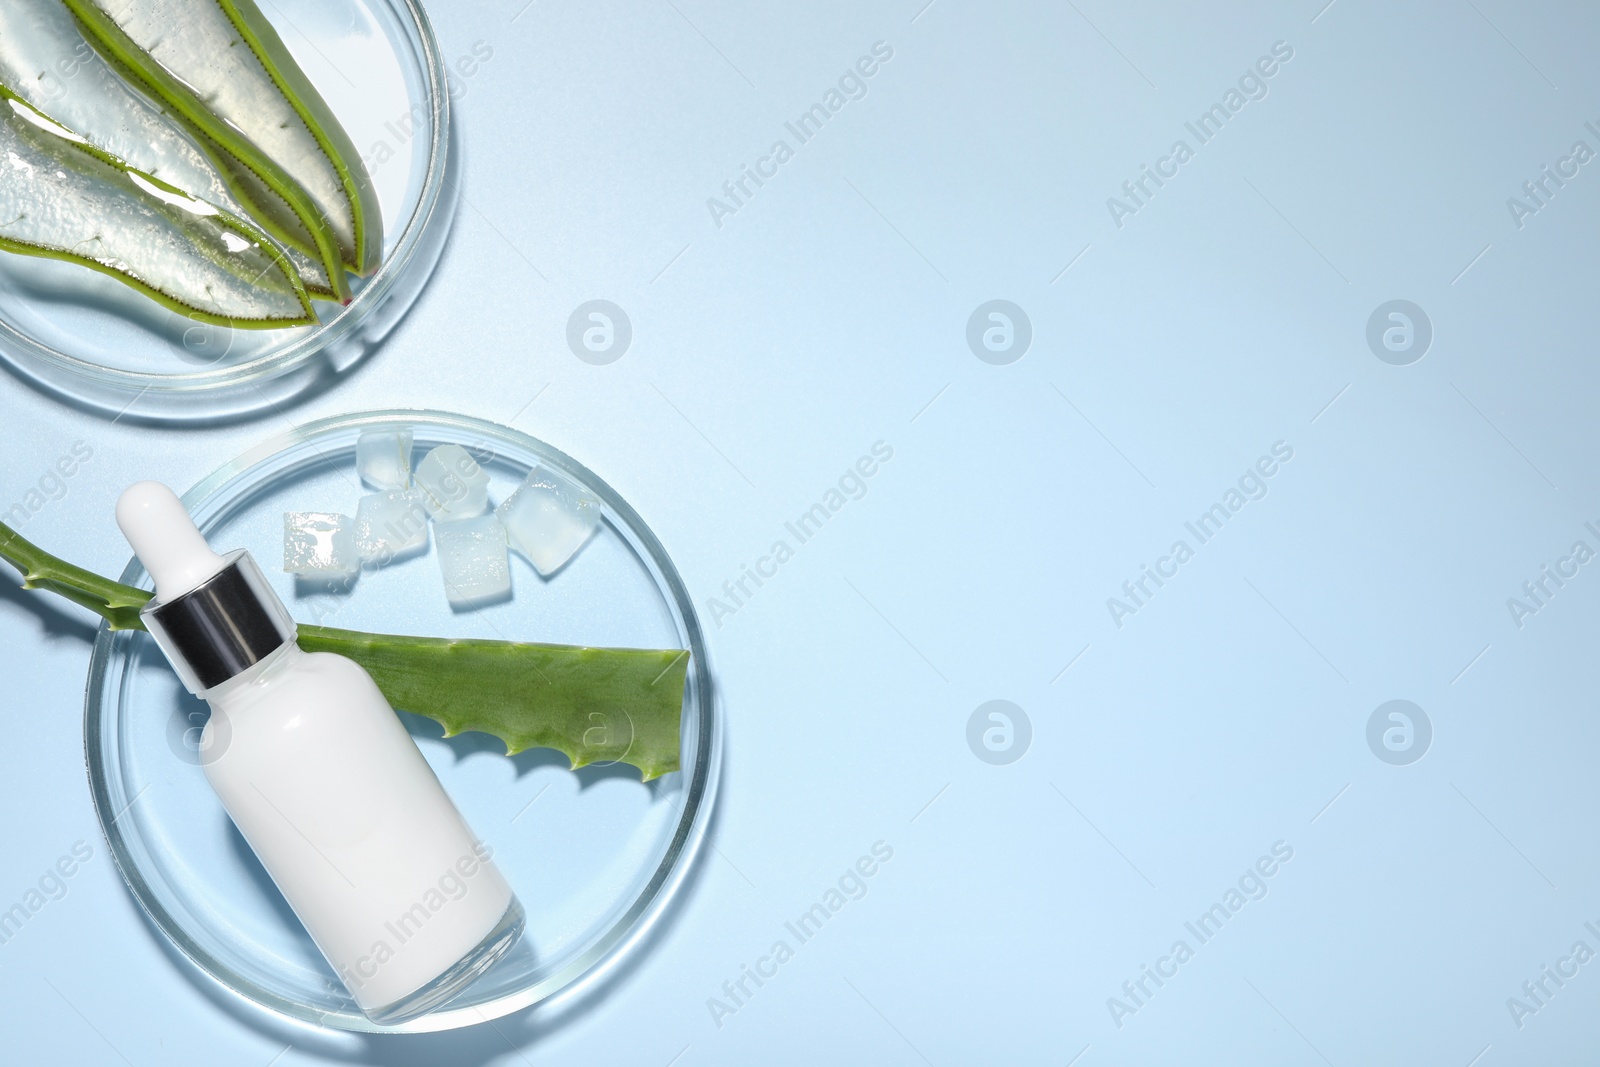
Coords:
594,855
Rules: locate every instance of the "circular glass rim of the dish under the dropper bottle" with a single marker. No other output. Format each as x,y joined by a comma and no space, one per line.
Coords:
230,490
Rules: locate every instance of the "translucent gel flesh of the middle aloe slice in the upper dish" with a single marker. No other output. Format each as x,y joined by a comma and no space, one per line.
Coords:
47,62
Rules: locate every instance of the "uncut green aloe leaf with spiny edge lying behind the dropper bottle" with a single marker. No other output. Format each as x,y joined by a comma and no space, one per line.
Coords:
593,705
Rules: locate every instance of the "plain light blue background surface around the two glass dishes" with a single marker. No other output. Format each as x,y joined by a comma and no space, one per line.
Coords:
830,314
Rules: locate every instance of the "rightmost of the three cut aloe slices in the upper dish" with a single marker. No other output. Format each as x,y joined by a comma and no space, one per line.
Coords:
226,57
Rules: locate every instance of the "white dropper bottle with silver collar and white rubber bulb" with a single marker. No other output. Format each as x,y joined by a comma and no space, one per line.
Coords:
322,778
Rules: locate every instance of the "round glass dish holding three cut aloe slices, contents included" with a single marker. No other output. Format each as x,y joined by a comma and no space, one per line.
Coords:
220,218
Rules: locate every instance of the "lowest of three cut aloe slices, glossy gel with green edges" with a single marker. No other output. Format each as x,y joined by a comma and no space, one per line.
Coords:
66,199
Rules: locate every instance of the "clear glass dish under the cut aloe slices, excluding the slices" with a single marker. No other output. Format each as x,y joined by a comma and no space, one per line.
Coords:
95,342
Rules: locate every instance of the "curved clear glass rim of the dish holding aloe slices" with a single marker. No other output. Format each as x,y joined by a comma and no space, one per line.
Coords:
308,354
